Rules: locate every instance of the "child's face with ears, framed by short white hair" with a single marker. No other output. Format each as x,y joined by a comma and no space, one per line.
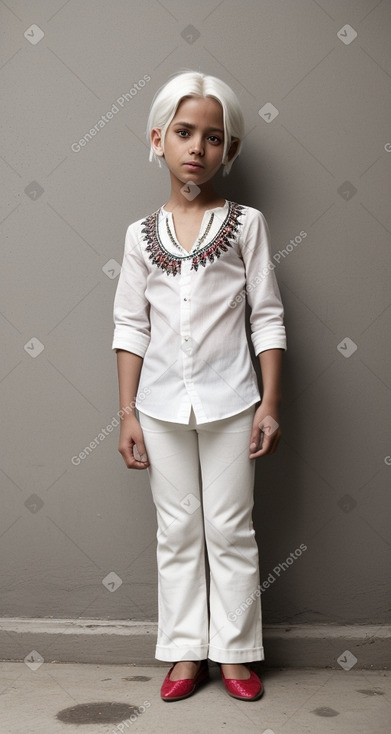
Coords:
194,140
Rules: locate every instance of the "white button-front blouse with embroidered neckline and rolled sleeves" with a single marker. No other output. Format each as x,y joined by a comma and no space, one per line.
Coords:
184,312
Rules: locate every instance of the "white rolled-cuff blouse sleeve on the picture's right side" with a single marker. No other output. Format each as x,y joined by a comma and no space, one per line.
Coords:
263,294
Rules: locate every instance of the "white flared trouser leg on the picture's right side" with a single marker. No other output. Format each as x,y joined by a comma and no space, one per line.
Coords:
235,634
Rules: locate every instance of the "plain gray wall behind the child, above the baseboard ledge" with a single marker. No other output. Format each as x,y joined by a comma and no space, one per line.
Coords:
321,166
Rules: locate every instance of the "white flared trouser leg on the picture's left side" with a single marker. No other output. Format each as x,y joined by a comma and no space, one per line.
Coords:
174,476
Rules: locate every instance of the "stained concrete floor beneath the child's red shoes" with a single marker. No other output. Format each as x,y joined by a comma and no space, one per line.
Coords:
295,701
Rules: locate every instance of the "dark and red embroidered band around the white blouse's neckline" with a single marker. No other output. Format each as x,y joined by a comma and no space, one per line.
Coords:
170,262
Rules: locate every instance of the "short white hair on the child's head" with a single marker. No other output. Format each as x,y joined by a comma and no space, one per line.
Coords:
195,84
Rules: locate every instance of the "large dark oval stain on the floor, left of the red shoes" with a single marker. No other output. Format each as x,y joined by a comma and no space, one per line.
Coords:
105,712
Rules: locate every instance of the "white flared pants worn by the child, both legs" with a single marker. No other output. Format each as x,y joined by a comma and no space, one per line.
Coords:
202,484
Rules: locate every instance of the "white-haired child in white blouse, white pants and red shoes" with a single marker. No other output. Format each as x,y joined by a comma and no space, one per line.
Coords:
184,363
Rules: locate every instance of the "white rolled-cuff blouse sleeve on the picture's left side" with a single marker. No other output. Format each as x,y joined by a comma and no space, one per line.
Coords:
131,307
